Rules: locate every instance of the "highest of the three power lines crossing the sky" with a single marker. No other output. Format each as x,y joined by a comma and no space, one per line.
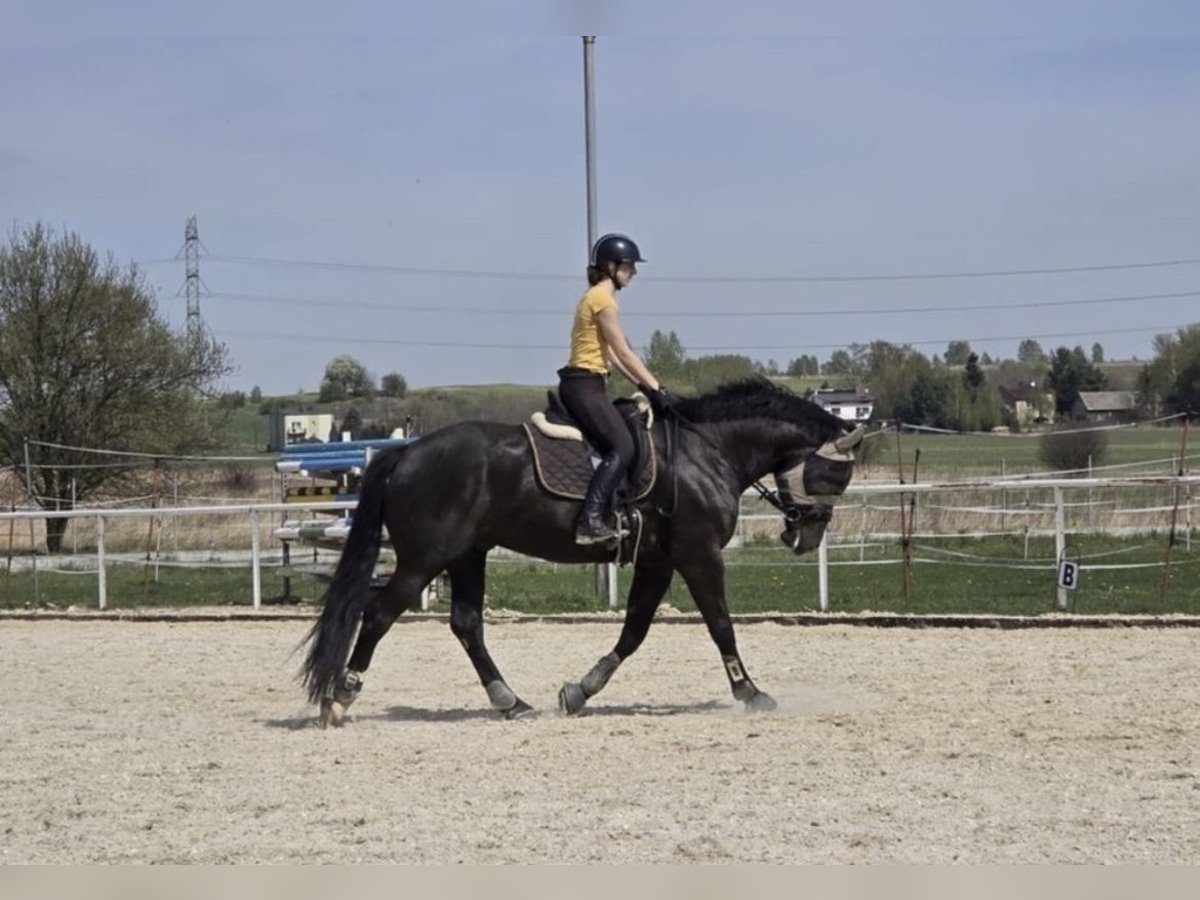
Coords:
688,279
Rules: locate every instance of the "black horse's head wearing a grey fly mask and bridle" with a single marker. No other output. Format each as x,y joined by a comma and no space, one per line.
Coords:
812,487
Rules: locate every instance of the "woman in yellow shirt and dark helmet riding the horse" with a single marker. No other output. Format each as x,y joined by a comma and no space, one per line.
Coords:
597,340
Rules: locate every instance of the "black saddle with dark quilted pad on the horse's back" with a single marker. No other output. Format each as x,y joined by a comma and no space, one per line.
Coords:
565,461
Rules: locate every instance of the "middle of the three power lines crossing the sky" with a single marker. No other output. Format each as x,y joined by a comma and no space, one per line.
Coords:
697,314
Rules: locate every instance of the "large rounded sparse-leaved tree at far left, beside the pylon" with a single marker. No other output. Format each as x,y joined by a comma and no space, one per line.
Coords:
86,361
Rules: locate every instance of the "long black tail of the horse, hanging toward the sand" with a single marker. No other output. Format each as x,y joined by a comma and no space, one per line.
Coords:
329,641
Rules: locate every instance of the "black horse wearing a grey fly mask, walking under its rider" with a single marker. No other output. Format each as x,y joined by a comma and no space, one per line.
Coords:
454,495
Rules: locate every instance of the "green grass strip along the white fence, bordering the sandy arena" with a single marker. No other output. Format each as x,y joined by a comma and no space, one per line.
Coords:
952,575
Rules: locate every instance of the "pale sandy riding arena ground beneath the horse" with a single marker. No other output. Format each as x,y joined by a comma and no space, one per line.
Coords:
190,742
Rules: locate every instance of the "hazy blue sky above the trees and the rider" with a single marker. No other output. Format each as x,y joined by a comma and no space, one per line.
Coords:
730,160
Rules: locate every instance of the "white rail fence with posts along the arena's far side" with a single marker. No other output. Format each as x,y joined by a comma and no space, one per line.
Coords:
853,524
